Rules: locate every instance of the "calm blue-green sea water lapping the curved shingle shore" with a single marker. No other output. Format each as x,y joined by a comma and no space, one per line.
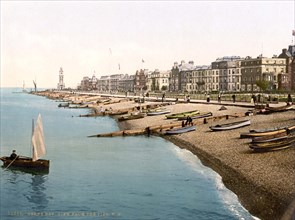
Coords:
103,178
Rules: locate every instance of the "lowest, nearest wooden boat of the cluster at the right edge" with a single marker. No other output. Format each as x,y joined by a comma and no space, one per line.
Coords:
278,144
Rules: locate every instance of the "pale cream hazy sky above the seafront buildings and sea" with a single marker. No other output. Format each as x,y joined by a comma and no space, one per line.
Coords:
96,37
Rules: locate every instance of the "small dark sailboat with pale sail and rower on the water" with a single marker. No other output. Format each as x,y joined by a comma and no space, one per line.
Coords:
39,150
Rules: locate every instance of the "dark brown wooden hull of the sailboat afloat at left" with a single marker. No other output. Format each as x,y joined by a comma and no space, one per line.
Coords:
26,163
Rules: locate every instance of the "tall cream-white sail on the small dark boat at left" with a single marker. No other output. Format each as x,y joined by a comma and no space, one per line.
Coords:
38,143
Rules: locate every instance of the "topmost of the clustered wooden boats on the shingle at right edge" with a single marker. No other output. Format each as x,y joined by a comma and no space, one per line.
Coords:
268,132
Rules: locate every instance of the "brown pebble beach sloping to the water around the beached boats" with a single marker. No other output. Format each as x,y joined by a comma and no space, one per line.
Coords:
263,182
